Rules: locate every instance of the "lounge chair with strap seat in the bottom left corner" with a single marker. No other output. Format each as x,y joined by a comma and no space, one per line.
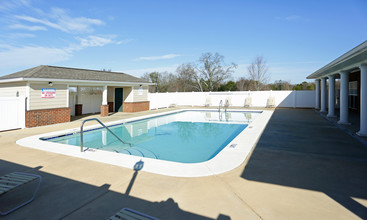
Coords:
14,180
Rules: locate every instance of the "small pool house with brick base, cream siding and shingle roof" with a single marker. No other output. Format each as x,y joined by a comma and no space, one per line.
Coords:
53,94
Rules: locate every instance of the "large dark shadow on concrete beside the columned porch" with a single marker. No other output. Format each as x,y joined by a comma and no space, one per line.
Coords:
301,149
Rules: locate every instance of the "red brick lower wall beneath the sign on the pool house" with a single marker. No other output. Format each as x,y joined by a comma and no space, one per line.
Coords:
42,117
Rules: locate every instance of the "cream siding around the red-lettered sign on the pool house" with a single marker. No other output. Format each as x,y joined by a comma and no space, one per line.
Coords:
37,102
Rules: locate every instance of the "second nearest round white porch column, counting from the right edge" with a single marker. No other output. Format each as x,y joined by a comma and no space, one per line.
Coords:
344,89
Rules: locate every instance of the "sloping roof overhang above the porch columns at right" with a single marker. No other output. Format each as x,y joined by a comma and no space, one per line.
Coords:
349,61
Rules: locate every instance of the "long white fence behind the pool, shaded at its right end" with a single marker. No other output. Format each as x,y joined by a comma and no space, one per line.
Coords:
291,99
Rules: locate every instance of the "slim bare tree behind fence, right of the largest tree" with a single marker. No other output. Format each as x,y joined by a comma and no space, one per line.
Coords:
258,72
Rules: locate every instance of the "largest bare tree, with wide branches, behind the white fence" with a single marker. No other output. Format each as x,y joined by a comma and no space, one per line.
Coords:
213,71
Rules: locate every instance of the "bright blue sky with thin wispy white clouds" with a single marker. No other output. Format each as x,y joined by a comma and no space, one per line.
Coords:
295,37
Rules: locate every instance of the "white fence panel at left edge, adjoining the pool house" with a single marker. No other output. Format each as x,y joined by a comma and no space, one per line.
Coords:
12,113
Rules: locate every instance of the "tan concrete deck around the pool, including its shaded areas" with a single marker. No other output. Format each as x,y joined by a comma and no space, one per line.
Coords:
302,167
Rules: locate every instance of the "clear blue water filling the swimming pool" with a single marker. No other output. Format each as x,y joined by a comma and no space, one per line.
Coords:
187,137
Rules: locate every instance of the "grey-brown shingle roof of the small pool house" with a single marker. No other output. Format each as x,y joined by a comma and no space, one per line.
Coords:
54,72
